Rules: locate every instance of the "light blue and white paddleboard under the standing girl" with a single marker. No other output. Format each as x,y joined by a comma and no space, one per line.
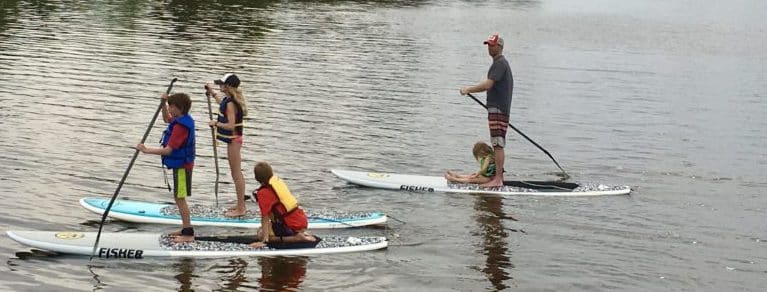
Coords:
164,213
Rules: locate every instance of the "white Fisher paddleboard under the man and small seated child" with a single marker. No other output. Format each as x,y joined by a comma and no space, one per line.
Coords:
422,183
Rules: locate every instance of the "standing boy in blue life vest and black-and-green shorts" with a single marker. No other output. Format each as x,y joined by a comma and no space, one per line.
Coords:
178,153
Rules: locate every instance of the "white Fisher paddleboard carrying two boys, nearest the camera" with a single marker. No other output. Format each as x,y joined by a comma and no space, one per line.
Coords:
143,245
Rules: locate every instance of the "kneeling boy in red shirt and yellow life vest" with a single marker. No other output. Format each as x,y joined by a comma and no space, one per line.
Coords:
278,224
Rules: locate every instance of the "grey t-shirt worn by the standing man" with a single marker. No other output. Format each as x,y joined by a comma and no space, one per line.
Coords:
499,96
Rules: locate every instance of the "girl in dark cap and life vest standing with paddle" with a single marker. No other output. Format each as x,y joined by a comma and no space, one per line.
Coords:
232,109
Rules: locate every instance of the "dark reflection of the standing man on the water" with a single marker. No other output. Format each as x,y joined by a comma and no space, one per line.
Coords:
490,218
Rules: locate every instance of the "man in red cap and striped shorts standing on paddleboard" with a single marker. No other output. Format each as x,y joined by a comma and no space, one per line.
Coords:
499,86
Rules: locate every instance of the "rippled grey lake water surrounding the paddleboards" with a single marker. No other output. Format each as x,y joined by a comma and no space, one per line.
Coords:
665,96
